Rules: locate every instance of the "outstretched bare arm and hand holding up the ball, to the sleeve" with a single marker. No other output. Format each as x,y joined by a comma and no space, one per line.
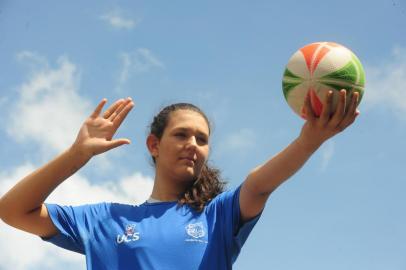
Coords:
264,179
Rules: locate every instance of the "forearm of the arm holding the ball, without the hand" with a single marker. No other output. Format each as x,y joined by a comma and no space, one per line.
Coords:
267,177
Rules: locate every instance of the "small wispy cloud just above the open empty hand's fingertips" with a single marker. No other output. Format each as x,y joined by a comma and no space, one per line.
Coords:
138,61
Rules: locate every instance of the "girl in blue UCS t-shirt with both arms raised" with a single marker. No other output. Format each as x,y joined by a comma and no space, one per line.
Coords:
188,222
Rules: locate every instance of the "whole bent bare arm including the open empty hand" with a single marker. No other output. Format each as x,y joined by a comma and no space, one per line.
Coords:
23,206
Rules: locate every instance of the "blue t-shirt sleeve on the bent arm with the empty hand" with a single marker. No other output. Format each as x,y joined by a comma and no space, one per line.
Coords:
74,224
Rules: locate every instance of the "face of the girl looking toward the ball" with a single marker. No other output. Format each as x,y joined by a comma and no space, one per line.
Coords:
184,146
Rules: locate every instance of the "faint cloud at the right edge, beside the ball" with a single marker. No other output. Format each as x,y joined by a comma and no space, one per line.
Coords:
386,83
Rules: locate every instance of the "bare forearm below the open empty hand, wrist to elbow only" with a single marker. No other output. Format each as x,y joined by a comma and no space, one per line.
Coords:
30,192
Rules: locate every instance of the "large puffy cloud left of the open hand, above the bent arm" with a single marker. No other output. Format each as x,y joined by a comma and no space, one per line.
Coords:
49,110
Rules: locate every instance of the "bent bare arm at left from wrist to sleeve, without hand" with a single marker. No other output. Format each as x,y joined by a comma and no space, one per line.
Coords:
22,207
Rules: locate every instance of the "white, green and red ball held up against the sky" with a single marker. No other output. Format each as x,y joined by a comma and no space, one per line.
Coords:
318,68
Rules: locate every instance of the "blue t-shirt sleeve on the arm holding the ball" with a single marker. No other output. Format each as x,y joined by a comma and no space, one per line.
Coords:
236,232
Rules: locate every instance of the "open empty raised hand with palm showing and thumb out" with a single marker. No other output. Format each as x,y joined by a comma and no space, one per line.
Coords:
96,134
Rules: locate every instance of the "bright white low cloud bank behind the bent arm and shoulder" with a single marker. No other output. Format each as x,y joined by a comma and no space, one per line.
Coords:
23,251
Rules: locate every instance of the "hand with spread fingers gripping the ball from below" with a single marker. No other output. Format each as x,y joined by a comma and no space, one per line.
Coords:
316,130
